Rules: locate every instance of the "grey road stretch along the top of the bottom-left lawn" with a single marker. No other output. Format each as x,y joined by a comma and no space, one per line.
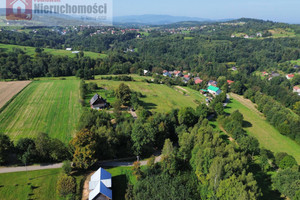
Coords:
29,168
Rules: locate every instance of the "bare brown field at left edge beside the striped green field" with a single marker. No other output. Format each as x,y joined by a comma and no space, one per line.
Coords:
10,89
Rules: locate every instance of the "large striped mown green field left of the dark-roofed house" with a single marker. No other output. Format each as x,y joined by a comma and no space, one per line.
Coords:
44,106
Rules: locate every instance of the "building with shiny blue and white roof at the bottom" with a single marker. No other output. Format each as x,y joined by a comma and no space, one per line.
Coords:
99,185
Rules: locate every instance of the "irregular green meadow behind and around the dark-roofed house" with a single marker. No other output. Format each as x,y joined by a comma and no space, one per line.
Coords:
158,97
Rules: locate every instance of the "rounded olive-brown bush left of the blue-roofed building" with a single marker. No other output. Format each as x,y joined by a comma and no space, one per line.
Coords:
66,185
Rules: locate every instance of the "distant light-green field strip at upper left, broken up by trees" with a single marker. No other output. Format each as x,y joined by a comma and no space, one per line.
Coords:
58,52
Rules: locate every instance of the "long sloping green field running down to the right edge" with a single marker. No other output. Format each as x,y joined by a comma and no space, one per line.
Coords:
266,134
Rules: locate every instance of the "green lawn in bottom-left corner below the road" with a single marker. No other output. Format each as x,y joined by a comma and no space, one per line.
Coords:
39,184
